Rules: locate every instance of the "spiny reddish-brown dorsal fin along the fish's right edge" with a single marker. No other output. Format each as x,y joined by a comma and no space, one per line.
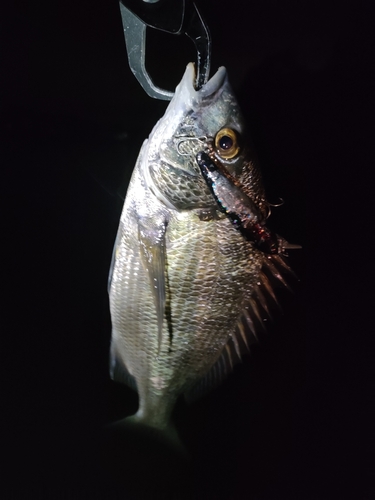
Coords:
250,325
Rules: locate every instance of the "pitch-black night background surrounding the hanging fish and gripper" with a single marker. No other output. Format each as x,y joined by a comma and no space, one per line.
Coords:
295,419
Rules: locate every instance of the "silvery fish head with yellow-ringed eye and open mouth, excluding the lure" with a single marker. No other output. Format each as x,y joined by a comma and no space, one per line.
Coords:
193,121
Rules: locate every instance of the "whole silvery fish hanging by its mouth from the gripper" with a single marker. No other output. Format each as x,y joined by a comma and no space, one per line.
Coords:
194,265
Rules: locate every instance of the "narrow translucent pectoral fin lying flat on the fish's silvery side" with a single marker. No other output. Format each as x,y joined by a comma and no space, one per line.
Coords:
152,242
